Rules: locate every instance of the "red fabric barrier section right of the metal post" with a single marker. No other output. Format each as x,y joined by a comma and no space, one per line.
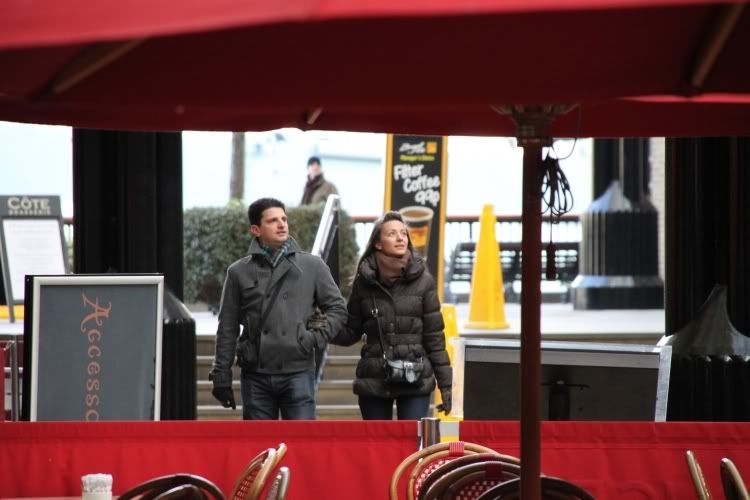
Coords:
627,460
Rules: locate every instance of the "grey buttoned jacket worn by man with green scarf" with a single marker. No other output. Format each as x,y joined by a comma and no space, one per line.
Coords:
284,344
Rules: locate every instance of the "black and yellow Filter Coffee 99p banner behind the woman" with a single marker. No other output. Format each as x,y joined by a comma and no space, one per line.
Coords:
415,186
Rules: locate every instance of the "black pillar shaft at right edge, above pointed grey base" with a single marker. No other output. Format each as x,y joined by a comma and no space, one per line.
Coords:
707,238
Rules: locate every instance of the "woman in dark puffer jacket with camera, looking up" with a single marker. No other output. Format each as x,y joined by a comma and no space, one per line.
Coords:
394,305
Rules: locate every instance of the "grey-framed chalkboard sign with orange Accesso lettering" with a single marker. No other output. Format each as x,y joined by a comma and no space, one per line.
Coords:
92,347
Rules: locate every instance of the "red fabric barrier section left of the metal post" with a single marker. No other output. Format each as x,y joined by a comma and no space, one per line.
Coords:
326,459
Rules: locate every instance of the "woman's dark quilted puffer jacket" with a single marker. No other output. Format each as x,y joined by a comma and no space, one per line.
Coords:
410,320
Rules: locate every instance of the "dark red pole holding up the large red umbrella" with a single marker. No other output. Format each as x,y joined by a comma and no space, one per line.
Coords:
531,300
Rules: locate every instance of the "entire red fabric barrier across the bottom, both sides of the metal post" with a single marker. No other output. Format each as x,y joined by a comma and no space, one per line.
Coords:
352,459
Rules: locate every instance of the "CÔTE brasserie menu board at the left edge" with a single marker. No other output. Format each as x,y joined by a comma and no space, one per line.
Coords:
31,242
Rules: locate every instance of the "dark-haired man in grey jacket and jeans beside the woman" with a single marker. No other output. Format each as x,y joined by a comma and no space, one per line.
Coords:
272,294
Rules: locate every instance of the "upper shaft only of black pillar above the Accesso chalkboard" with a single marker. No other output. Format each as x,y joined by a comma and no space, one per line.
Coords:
127,191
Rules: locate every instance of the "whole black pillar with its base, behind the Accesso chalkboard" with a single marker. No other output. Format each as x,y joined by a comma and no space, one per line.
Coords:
127,192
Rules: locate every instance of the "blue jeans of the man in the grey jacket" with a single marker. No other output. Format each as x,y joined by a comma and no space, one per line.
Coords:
292,394
